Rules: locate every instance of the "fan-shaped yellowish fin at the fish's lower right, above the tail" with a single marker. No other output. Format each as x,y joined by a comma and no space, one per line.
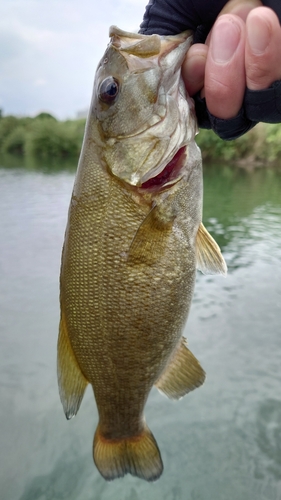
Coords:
182,375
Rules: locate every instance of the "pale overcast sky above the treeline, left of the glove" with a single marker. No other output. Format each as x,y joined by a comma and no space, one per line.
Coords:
49,51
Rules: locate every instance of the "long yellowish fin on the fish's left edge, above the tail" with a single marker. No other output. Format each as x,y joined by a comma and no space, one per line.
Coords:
72,383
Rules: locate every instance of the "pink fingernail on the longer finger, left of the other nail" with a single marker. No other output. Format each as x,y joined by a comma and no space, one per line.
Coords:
224,41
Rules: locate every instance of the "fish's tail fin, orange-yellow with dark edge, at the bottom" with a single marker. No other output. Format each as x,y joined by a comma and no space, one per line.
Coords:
138,455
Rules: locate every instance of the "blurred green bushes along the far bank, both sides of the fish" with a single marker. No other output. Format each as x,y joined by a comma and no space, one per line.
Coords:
47,139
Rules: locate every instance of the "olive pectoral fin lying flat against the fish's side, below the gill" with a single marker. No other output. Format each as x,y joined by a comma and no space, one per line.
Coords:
149,240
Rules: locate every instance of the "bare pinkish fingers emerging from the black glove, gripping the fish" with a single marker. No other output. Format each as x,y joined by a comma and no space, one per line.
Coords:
242,50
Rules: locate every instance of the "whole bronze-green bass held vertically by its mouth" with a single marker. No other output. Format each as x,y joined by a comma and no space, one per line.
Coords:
133,241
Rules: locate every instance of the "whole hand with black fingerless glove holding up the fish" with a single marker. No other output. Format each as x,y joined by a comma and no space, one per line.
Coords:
232,95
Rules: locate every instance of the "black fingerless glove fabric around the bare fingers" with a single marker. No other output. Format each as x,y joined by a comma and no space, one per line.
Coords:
170,17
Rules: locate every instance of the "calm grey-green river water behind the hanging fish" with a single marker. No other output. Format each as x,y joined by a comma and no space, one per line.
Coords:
221,442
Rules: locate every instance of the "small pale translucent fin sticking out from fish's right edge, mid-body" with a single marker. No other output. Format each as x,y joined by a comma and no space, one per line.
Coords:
208,254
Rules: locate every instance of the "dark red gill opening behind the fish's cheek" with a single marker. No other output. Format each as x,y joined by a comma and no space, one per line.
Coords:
171,173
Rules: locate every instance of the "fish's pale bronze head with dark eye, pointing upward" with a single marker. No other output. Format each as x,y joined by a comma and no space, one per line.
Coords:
144,117
